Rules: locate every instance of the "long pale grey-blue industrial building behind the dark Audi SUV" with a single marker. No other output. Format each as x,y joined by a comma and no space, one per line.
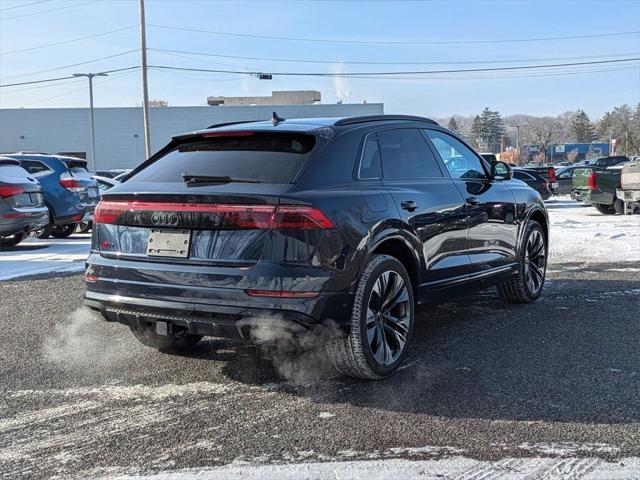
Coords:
119,131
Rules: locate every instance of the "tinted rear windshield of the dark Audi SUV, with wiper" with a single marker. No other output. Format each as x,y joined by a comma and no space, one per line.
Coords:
257,156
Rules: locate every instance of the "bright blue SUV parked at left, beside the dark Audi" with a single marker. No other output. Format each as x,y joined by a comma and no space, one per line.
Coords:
69,190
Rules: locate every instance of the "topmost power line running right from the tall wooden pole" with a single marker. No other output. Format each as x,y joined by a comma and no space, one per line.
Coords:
394,42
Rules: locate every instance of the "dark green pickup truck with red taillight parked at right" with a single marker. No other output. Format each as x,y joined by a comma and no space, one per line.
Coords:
598,186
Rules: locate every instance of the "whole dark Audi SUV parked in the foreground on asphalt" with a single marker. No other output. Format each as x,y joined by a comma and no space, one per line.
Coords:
286,226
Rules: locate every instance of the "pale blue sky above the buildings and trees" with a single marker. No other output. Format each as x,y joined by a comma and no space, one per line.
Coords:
502,31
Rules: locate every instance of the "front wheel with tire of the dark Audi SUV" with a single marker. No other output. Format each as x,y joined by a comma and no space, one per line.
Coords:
526,284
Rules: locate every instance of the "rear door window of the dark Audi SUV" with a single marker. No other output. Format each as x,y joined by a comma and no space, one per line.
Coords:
406,156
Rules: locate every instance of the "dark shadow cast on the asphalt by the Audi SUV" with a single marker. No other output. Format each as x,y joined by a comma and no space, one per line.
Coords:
573,356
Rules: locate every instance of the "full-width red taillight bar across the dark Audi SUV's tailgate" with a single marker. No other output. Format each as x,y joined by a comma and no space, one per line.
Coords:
240,217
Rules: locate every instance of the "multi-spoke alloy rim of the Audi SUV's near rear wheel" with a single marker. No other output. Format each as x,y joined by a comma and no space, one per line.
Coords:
388,317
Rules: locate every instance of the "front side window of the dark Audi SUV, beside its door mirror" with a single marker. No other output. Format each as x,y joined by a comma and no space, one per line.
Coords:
459,159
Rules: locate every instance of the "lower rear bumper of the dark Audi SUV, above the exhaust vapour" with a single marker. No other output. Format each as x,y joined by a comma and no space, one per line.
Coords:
238,321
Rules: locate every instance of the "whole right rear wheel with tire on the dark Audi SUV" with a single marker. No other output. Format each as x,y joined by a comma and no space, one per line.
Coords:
359,353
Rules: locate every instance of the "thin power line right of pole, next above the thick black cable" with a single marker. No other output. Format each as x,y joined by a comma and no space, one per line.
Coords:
352,62
